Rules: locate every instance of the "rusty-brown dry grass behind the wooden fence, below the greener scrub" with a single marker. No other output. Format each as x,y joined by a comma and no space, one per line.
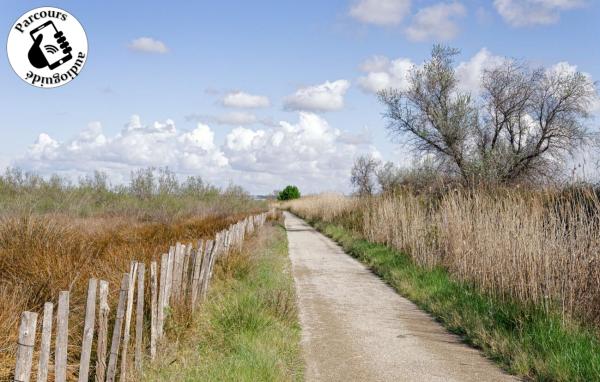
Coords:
41,255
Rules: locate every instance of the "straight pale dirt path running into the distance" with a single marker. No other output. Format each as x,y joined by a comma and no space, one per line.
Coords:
357,328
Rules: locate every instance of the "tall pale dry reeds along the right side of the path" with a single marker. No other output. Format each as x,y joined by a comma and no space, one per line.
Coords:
541,247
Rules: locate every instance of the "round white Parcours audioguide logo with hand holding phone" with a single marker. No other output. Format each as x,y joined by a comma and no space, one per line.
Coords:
47,47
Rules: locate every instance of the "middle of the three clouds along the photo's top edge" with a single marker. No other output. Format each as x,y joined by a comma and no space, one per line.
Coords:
437,22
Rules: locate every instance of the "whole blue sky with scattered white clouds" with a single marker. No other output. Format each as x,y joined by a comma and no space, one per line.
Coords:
262,93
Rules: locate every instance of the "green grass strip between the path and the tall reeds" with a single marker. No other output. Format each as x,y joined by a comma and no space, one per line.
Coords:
525,340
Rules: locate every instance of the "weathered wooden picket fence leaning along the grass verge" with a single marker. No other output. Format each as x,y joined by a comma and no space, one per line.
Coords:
183,275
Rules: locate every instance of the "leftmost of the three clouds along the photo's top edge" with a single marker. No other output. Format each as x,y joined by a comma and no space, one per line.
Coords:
380,12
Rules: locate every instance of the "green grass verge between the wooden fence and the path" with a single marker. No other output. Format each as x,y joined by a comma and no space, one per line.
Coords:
248,329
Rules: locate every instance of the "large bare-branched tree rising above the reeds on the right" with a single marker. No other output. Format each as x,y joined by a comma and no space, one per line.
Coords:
519,129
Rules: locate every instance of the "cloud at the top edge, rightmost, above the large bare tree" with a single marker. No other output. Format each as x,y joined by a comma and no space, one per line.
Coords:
521,13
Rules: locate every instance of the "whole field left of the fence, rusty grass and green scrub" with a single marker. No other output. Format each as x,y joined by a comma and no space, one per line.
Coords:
55,236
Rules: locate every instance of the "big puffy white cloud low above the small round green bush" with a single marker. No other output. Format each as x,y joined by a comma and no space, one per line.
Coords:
309,150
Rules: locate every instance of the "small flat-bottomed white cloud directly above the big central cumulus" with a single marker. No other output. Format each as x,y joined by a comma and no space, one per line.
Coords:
328,96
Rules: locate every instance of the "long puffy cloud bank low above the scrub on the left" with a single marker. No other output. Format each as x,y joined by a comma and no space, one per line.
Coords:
136,145
